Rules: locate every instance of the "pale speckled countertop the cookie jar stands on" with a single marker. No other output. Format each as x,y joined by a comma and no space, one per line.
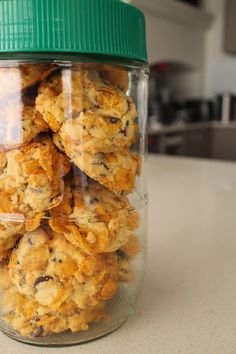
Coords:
188,304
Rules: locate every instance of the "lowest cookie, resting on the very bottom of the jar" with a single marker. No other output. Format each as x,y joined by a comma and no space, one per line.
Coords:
31,319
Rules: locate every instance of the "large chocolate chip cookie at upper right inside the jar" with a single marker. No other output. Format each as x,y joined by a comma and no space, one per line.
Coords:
88,114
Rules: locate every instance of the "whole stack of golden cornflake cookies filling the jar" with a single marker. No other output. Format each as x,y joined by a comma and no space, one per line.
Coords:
66,224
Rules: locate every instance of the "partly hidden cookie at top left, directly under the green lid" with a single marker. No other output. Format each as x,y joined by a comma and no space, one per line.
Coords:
22,76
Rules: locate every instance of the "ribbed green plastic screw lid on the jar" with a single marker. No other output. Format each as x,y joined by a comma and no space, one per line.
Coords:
101,27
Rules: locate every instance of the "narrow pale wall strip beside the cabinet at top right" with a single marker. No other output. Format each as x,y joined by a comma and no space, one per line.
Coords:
220,68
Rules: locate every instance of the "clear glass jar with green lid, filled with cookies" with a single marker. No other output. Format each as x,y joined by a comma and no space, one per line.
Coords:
72,181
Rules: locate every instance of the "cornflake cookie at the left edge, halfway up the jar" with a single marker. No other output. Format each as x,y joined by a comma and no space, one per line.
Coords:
31,180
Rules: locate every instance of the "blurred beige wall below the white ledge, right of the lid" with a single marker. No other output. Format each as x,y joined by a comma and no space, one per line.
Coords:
174,41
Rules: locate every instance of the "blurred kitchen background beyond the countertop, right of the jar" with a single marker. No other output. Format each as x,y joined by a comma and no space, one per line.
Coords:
192,91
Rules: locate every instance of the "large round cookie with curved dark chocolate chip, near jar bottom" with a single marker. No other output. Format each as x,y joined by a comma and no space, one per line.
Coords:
52,271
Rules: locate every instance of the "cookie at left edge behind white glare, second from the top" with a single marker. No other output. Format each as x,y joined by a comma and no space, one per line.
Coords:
19,122
